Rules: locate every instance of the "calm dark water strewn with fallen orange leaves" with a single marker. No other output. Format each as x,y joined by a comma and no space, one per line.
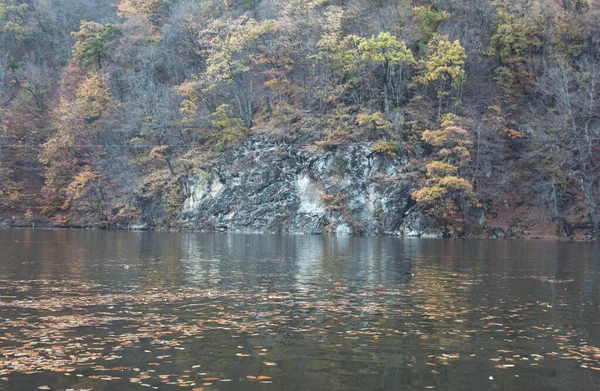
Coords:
94,310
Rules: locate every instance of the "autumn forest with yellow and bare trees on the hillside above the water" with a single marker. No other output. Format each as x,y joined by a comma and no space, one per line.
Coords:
496,102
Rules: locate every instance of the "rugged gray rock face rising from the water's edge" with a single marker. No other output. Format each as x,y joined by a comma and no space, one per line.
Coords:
265,186
